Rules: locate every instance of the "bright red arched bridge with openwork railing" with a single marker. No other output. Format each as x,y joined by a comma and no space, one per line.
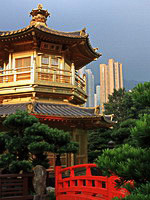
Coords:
83,182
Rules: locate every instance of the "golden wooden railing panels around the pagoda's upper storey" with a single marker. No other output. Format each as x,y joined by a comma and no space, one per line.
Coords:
49,74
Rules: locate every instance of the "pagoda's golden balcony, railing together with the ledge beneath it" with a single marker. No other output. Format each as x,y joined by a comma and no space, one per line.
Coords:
44,76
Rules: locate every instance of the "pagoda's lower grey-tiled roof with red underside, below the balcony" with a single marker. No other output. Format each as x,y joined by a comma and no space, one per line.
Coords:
60,112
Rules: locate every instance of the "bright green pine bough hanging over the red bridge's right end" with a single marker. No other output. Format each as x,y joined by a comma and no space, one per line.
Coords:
127,162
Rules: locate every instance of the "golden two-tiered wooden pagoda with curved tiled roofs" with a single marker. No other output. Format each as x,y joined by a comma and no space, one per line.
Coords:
38,73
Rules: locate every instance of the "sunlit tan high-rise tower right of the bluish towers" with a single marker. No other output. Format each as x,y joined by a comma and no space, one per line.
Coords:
110,78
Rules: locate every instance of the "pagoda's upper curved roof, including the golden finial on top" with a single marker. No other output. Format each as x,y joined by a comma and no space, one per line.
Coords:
76,42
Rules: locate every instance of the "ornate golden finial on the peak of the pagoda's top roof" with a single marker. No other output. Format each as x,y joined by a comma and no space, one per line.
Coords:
39,16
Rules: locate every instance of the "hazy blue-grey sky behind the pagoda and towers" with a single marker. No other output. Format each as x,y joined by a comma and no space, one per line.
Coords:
119,28
